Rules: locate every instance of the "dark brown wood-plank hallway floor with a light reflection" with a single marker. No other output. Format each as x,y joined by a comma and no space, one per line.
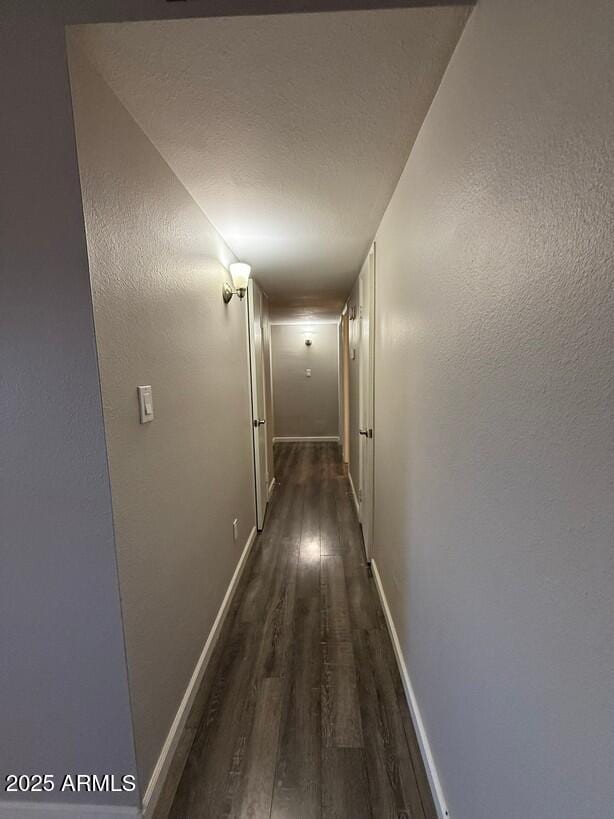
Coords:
302,712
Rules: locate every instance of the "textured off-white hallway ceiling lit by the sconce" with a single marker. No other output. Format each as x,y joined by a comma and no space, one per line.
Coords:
289,131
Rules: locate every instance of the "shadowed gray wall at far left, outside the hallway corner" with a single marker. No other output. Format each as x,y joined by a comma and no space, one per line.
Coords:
63,688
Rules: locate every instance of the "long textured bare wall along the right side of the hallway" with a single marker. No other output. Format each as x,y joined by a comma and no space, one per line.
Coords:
494,522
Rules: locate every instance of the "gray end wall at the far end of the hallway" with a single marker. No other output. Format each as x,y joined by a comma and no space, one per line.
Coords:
305,407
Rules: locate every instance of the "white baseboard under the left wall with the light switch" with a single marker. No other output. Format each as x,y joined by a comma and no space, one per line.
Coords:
158,777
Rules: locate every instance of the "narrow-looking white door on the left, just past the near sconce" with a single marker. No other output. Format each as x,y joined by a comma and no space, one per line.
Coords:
259,419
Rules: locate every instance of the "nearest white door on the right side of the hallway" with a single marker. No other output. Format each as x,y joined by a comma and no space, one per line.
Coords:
366,396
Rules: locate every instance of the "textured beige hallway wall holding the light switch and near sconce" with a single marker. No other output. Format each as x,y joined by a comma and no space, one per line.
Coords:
157,267
